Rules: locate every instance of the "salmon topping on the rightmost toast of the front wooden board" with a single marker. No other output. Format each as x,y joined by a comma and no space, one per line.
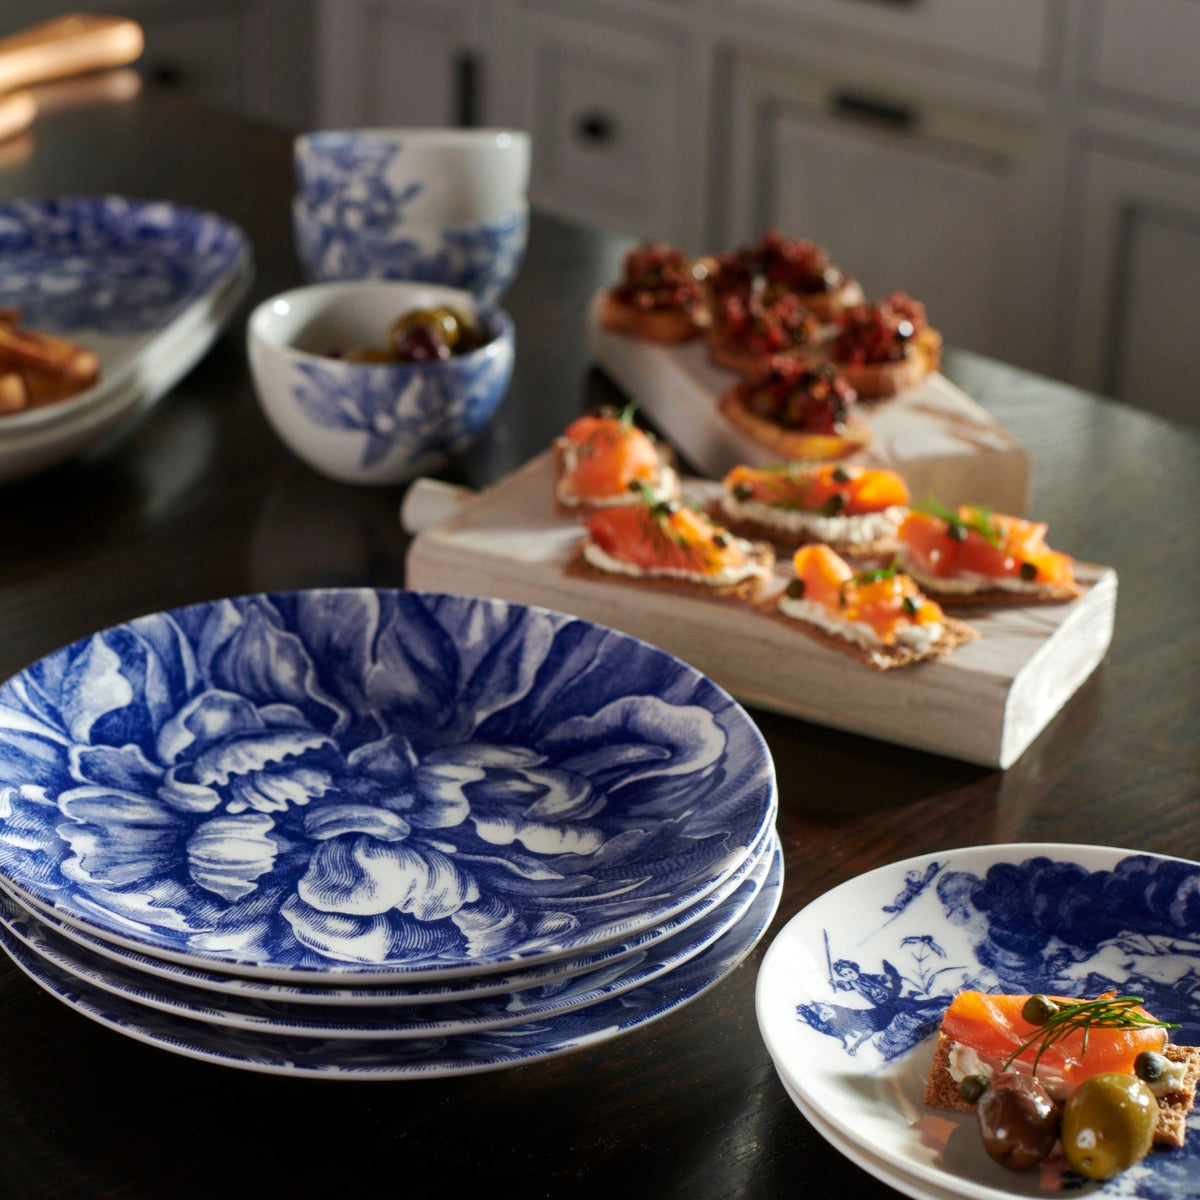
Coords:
981,543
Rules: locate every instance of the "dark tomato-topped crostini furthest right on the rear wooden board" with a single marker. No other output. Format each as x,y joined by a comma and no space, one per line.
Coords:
886,347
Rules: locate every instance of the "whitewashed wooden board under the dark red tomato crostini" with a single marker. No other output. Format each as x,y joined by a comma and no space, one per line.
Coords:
935,436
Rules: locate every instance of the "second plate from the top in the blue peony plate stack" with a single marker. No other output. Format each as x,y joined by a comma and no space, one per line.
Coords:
152,971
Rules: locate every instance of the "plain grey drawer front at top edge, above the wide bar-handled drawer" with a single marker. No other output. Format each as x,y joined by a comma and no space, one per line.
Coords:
1010,33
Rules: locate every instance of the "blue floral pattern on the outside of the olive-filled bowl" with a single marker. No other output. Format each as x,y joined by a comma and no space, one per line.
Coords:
422,410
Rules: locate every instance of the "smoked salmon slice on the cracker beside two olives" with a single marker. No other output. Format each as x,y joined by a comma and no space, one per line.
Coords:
994,1028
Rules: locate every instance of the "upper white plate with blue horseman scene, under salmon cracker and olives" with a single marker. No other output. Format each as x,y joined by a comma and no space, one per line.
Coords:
854,988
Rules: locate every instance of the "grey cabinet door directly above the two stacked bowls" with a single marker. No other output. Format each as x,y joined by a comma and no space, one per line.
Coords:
399,63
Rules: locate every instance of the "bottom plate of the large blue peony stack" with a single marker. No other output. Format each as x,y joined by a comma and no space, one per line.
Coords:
436,1057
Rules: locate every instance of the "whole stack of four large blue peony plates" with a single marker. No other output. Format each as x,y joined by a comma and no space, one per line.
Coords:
379,835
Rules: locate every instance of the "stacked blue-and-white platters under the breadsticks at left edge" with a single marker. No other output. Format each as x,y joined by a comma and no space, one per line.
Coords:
146,285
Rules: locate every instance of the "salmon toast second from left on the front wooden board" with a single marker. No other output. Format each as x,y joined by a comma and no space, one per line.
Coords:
664,544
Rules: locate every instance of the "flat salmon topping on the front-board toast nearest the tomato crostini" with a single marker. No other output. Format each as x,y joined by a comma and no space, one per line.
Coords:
832,490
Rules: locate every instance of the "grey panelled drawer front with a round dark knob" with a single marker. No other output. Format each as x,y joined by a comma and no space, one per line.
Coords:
604,109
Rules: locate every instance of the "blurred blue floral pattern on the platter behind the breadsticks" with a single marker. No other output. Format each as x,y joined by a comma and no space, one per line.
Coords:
112,265
